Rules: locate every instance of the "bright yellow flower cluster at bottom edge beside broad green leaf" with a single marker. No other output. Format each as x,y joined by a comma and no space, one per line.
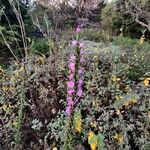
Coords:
94,143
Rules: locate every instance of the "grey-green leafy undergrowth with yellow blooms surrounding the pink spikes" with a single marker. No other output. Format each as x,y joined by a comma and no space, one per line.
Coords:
113,112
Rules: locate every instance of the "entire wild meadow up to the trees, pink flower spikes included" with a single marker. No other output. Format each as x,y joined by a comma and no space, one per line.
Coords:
81,89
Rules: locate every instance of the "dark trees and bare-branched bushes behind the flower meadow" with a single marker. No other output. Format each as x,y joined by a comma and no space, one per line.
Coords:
54,20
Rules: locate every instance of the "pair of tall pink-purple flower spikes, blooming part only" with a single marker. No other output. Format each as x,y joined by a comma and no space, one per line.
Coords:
75,78
